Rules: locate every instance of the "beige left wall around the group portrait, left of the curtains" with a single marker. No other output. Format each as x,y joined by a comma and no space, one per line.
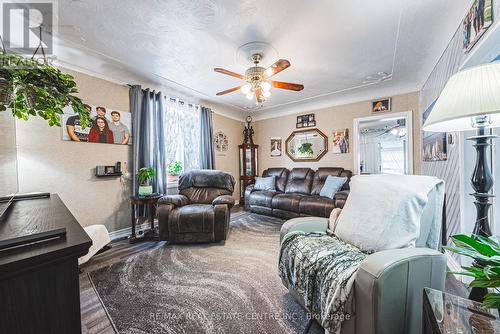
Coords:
46,163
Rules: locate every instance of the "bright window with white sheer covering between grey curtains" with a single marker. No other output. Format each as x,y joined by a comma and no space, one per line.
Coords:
183,134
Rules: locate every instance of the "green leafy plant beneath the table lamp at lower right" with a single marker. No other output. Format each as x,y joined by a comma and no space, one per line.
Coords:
485,270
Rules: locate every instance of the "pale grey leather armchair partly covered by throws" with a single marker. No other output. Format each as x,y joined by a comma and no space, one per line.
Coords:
389,284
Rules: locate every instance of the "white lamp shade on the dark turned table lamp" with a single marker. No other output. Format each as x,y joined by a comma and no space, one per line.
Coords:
472,92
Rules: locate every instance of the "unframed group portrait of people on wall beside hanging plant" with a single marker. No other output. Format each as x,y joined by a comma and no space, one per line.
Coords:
107,126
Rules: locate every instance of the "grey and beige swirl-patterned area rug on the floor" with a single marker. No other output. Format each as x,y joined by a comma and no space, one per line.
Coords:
232,287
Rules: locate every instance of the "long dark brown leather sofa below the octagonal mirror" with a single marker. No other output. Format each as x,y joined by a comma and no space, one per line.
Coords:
297,193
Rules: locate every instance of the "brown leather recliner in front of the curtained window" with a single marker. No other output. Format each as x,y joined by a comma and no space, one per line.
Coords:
201,211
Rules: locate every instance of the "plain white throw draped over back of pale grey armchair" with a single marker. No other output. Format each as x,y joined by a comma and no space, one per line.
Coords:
384,211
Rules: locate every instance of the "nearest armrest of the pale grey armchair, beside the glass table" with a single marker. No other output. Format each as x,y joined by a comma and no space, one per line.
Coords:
389,288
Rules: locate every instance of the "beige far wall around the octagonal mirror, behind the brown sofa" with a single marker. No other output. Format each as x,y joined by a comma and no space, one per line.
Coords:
327,120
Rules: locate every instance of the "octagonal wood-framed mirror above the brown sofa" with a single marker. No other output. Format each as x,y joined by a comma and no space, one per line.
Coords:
306,145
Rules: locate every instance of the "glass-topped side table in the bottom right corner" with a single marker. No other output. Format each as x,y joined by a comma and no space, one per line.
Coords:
447,313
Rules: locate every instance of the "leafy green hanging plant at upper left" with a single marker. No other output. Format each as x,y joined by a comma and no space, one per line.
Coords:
30,88
